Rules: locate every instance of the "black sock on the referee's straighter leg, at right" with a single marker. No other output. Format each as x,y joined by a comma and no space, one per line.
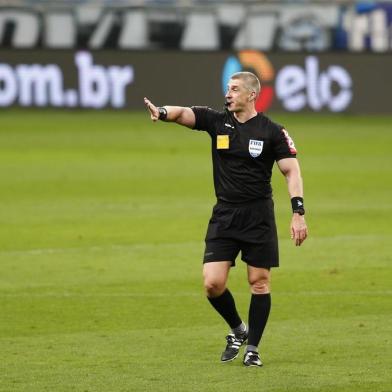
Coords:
260,305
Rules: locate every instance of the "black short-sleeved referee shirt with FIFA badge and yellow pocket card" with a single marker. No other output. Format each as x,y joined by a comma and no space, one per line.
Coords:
243,153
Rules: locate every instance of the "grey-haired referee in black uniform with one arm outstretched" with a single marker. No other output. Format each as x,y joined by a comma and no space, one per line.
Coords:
245,145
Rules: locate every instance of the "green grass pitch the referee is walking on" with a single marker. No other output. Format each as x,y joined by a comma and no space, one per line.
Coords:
102,223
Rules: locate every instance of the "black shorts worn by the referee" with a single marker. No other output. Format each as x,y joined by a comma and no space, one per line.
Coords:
248,228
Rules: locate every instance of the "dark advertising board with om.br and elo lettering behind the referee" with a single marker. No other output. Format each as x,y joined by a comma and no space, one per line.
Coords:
111,79
